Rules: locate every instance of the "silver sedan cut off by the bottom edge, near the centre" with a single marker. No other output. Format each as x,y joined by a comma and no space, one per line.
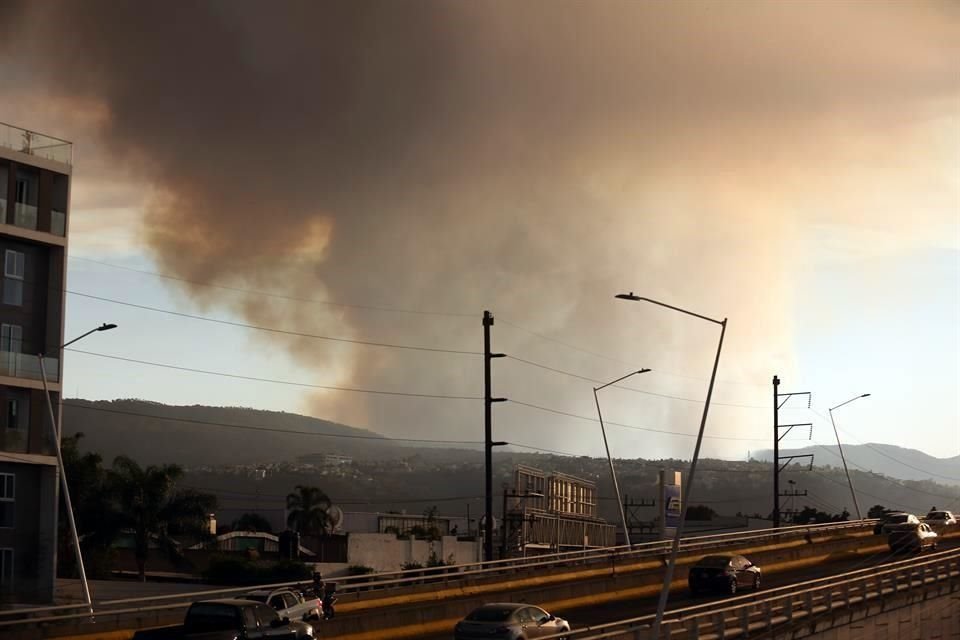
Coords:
509,621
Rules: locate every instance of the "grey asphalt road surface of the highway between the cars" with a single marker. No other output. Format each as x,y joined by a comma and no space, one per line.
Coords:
599,614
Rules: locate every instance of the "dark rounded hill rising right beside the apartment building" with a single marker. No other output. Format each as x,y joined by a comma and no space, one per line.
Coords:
155,433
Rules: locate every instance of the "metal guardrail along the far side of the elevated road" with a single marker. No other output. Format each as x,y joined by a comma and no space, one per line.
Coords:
441,575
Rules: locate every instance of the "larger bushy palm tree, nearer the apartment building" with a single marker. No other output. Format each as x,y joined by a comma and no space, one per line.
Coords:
150,505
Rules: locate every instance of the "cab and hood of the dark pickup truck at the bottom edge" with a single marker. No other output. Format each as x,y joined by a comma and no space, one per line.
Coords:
230,619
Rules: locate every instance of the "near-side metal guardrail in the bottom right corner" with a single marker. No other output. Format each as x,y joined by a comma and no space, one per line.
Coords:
784,605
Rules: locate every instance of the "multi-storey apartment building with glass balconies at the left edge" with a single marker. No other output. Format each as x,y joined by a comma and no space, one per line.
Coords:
34,195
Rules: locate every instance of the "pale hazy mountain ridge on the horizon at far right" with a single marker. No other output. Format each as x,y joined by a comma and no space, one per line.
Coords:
887,459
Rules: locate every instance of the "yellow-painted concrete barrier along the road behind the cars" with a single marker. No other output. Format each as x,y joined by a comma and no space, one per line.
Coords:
434,608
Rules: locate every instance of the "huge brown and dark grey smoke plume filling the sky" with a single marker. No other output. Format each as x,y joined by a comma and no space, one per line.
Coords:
532,158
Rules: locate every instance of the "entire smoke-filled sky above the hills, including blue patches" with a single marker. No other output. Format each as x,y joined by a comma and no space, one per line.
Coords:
794,167
